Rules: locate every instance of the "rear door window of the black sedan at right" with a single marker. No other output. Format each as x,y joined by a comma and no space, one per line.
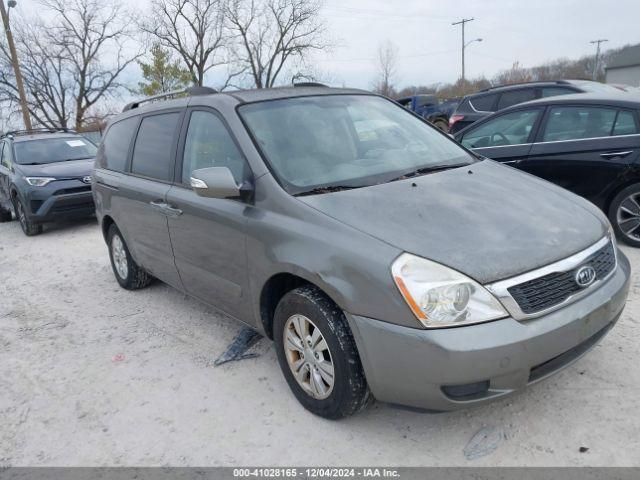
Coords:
575,123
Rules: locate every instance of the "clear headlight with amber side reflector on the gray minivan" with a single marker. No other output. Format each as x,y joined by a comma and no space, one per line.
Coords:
442,297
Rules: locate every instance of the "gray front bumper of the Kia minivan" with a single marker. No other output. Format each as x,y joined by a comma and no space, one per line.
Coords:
453,368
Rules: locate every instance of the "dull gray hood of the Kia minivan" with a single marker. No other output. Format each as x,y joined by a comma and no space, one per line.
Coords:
485,220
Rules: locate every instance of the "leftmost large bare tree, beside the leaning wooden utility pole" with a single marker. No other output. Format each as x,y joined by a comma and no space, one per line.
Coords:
63,59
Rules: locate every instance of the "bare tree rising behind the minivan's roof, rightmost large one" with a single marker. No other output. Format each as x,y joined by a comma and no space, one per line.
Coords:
271,35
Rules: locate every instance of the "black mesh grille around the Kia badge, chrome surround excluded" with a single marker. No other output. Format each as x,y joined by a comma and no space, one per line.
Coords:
552,289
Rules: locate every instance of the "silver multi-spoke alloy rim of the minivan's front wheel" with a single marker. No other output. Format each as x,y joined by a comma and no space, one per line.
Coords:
308,356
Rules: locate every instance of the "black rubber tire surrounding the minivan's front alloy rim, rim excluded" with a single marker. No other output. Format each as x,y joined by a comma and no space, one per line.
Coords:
350,392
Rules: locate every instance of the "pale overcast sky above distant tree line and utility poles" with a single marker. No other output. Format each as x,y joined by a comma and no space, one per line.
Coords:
429,46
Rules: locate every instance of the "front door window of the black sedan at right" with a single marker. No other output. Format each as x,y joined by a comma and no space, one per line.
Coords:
509,129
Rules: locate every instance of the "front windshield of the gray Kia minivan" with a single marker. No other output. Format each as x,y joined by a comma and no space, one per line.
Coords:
324,143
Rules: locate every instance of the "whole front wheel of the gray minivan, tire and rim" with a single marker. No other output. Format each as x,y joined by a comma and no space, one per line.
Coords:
318,355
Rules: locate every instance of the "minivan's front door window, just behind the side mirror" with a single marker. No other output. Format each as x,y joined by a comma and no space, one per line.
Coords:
209,144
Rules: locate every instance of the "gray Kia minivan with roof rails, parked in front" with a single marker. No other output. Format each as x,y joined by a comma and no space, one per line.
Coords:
383,259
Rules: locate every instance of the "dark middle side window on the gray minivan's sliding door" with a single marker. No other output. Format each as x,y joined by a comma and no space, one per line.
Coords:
152,150
